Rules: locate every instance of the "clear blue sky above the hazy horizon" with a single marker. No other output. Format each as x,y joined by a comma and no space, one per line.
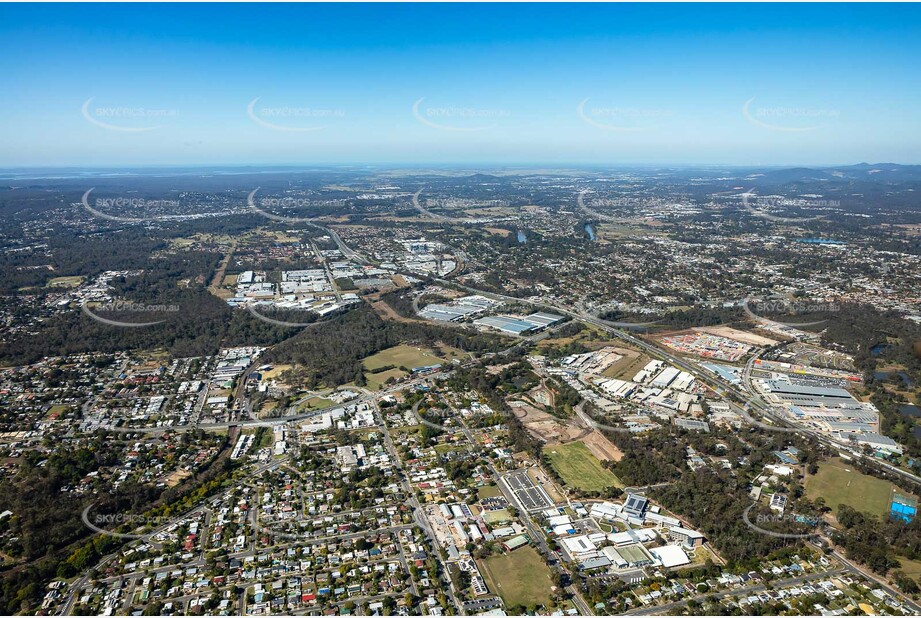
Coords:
754,84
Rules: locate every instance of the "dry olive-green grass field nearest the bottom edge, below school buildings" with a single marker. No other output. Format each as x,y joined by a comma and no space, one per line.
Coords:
520,577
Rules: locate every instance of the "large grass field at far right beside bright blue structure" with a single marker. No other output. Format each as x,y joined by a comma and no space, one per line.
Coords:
839,483
